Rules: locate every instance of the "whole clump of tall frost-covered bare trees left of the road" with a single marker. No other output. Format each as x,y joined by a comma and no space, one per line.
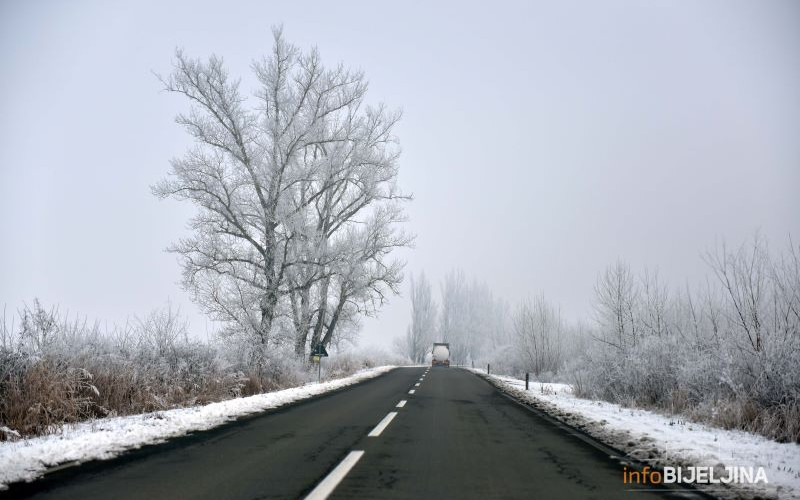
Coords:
298,205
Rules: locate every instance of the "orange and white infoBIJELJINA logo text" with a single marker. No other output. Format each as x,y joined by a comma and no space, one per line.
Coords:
695,475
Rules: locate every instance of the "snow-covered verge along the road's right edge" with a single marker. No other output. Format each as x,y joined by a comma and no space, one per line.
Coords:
662,440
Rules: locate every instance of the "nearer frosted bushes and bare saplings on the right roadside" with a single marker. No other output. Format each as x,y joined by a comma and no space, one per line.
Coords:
732,359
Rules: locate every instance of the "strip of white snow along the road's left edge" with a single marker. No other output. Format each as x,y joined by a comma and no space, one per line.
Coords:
106,438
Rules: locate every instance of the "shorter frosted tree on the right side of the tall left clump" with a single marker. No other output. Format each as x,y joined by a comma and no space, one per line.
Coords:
350,230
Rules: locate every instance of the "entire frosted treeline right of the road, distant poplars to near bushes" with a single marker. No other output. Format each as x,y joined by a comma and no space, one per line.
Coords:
726,351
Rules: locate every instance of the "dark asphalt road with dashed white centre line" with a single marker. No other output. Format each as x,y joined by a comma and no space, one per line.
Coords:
455,436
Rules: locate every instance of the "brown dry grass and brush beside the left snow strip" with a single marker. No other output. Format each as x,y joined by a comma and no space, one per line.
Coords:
40,397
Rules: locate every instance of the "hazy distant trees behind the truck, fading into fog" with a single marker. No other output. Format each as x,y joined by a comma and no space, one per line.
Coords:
482,328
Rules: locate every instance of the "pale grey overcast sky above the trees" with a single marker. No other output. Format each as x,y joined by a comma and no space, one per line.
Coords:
541,140
